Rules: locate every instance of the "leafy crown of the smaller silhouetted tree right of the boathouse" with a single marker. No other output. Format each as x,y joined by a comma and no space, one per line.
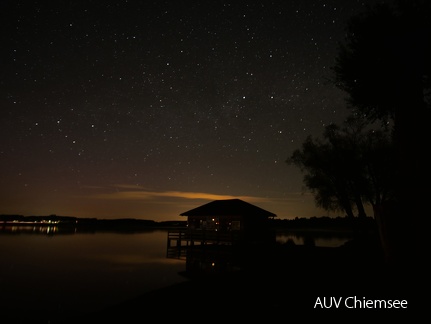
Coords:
347,169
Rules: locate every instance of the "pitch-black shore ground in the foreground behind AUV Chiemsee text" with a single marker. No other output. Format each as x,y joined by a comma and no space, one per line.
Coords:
283,284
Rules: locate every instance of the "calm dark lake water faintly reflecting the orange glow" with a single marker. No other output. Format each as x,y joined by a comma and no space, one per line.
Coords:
51,274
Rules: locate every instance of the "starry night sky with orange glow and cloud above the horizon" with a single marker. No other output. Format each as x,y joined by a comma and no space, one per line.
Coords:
146,109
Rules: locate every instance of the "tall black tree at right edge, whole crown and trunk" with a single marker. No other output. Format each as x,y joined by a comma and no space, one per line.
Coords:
384,66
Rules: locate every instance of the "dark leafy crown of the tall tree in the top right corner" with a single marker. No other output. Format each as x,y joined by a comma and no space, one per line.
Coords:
384,62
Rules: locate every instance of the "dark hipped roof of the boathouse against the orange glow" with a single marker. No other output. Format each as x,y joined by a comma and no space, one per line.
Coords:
227,207
